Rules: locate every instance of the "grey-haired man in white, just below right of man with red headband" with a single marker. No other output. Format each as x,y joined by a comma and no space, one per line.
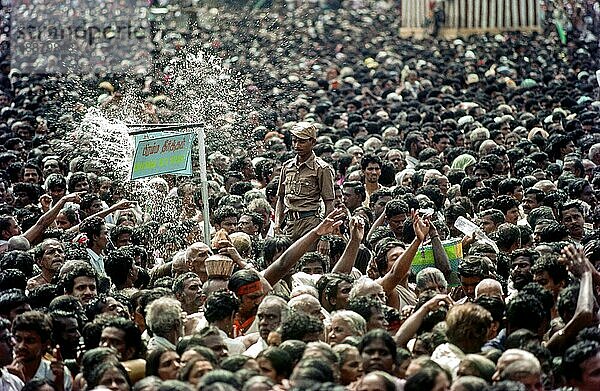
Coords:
271,312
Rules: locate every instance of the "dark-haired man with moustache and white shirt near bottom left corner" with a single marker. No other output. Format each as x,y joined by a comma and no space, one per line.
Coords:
32,331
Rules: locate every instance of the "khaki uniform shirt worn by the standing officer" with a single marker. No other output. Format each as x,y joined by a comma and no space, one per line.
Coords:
304,185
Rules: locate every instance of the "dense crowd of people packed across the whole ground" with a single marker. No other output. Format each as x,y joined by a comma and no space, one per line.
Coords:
393,214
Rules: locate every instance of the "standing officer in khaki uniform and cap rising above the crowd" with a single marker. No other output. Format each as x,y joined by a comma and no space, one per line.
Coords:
304,181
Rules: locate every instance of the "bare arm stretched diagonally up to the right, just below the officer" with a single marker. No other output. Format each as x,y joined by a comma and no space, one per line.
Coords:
278,269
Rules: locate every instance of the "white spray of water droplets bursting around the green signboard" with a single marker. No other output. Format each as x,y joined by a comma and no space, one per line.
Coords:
200,89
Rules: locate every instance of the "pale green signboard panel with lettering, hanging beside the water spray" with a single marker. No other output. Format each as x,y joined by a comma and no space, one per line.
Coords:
164,154
